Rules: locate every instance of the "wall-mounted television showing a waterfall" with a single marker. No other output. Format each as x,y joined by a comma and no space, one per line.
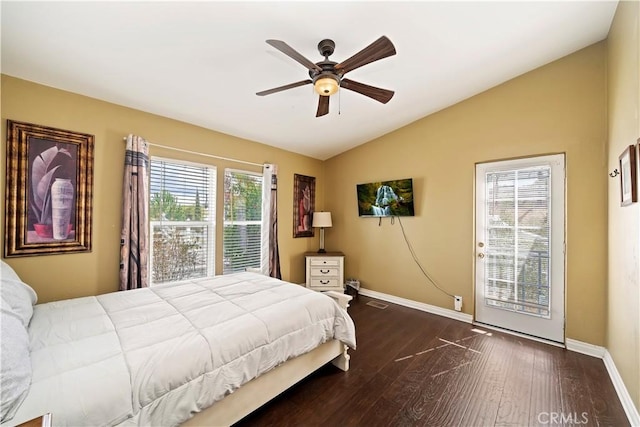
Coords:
386,198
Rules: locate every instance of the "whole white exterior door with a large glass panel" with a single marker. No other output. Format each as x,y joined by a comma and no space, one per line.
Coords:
520,241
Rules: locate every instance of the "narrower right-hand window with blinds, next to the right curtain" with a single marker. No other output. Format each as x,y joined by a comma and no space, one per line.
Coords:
242,220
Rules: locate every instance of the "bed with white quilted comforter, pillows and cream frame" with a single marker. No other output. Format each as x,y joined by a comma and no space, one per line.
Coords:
202,352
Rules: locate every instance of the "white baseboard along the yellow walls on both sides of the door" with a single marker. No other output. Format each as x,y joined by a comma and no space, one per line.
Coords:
571,344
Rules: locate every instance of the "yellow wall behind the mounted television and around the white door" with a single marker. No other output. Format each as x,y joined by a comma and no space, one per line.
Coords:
559,107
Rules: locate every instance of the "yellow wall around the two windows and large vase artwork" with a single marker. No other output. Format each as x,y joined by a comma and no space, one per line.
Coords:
71,275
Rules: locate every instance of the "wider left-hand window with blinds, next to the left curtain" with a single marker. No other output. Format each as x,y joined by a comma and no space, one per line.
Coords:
182,220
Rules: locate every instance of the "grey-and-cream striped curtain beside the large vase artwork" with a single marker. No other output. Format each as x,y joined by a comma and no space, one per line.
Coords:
134,251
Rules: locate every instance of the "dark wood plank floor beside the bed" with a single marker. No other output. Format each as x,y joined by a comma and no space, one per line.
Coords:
417,369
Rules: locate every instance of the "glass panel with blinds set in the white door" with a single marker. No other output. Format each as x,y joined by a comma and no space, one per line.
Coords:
517,273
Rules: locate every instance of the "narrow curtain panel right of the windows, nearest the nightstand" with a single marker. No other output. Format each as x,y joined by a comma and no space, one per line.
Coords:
270,263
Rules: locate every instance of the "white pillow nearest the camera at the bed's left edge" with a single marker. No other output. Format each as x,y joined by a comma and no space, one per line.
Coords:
15,362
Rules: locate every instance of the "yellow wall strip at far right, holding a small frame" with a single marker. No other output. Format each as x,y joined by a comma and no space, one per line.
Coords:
623,328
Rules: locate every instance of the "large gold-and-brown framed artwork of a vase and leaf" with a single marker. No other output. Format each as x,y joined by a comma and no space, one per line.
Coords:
49,188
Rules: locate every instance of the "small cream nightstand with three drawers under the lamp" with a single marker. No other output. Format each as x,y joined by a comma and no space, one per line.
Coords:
325,271
